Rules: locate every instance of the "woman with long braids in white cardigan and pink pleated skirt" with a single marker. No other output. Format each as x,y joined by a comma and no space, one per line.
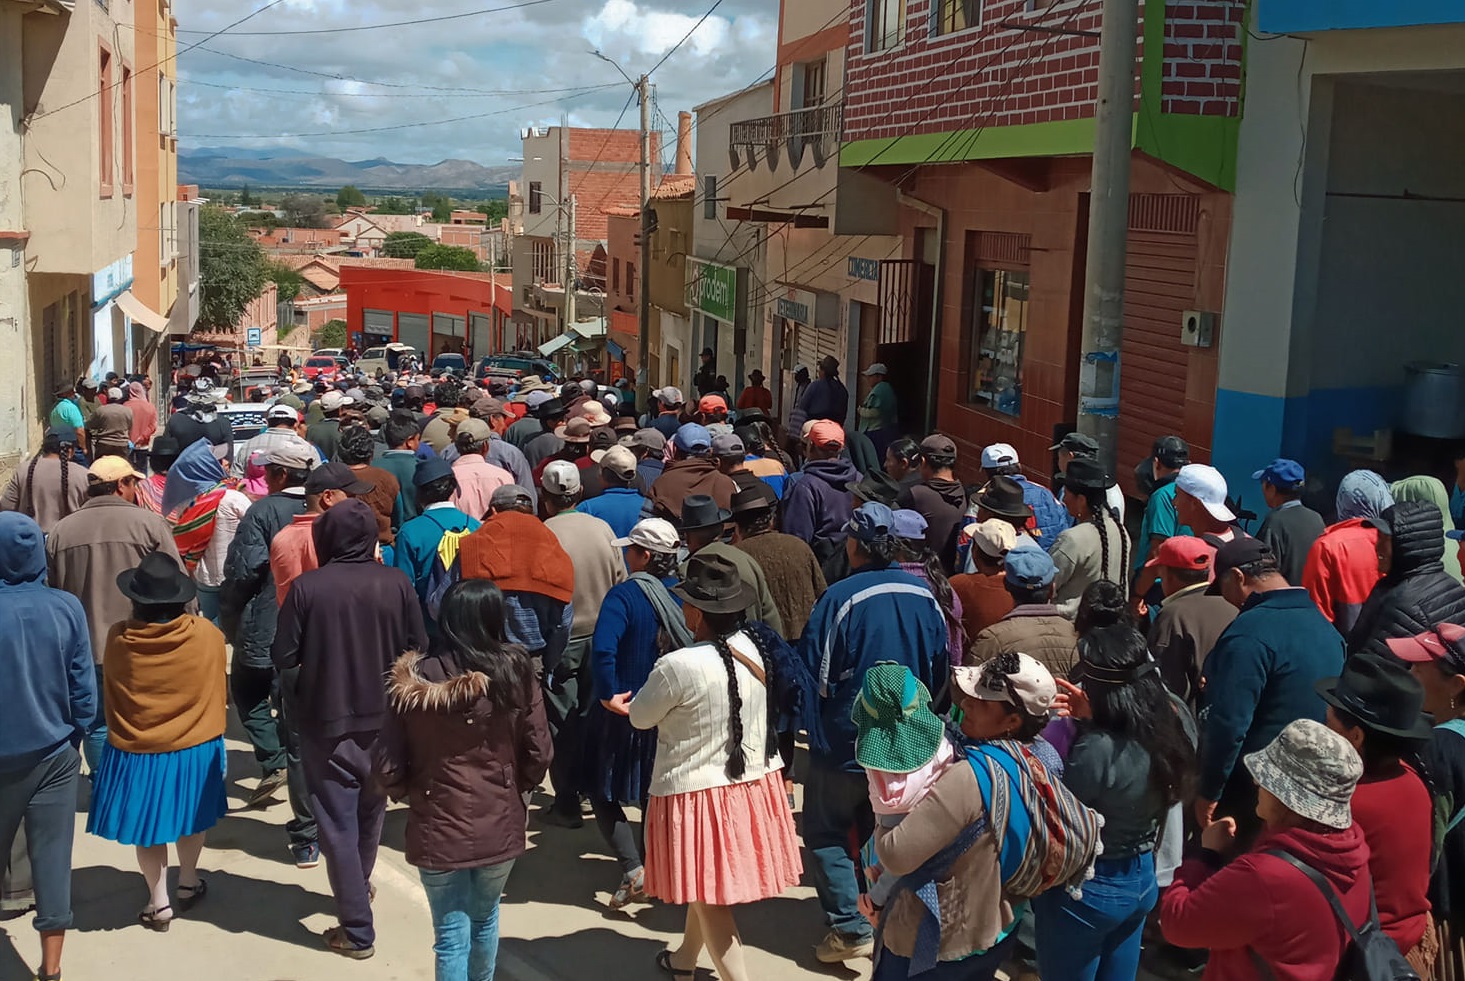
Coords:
717,790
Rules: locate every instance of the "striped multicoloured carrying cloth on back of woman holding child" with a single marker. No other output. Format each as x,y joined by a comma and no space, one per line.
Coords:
1050,838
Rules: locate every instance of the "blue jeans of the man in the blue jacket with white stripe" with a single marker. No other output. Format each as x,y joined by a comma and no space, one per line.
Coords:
836,805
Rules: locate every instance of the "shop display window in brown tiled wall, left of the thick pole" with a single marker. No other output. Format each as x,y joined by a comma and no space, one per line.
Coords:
998,332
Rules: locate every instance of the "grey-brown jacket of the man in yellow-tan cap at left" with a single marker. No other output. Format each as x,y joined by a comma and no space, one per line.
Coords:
90,548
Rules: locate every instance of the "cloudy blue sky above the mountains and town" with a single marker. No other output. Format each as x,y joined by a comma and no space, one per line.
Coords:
256,87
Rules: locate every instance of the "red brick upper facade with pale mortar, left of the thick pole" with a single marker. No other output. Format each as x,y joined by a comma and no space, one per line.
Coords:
988,75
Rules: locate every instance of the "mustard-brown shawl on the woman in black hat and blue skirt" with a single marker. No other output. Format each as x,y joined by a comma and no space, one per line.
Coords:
165,685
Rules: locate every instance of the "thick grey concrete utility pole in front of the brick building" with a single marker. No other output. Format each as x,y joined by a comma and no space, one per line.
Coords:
1108,231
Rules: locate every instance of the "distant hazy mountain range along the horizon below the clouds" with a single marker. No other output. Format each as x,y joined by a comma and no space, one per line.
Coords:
289,168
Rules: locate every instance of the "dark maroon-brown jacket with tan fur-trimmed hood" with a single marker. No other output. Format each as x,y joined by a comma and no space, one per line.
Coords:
464,766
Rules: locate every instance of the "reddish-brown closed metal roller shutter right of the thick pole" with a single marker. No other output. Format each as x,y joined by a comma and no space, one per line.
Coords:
1161,280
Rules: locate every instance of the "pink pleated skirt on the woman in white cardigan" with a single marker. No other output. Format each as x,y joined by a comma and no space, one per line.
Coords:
723,847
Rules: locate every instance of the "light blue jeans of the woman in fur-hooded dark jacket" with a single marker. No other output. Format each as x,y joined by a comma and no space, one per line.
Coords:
465,920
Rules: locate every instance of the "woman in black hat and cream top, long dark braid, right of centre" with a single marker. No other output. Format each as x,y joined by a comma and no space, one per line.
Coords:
1097,548
